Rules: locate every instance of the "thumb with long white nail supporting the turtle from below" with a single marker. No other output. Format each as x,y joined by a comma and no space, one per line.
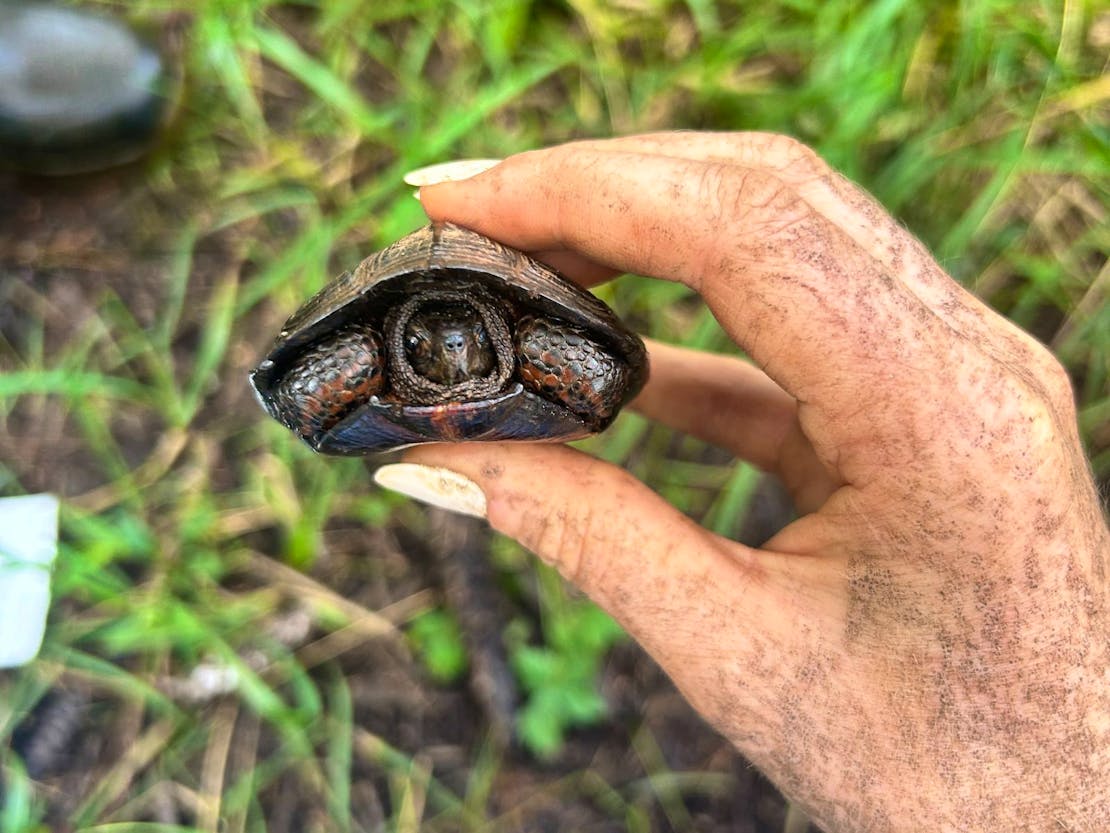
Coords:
672,585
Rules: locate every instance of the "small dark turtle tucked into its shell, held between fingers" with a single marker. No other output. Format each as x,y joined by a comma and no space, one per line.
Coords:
449,337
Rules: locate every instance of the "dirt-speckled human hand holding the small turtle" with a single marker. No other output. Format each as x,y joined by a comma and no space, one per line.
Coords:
929,647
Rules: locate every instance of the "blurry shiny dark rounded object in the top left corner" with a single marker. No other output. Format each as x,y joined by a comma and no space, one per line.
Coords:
78,92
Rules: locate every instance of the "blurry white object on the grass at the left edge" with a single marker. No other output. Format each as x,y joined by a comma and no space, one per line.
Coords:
28,546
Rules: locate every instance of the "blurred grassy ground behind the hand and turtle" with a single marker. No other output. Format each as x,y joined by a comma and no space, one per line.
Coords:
245,637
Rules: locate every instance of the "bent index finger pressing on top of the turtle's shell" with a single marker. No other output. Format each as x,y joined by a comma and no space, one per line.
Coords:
820,314
